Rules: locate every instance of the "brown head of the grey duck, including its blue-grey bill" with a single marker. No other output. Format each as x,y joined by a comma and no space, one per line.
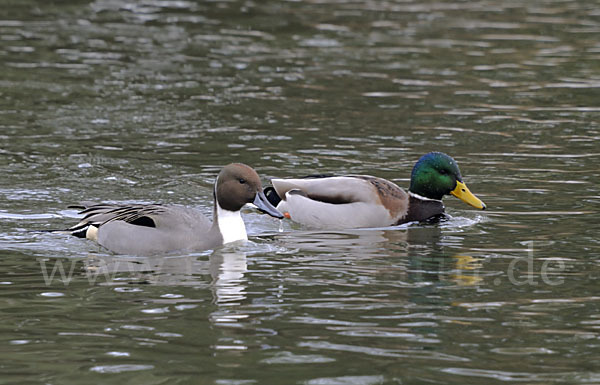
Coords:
237,185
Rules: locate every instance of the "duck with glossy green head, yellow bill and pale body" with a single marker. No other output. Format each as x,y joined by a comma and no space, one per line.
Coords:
364,201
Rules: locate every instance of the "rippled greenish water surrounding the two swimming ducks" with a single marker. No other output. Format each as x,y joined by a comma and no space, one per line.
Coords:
145,101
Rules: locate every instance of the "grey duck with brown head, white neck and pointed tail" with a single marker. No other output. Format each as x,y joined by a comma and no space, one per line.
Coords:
146,229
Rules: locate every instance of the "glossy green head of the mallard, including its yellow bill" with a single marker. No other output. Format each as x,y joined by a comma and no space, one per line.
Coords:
436,174
